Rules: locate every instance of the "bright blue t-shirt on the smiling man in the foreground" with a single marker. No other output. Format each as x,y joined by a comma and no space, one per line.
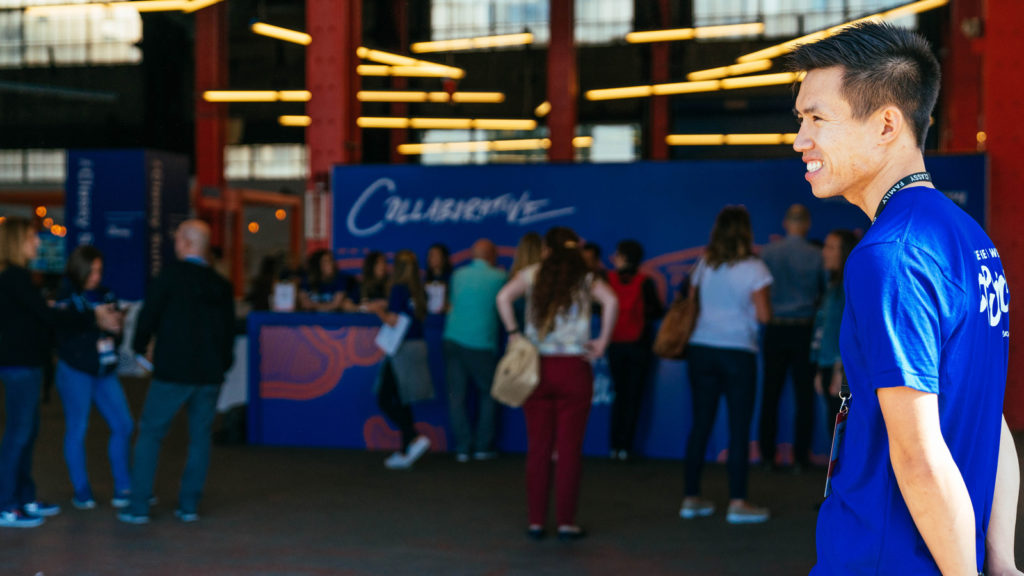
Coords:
926,308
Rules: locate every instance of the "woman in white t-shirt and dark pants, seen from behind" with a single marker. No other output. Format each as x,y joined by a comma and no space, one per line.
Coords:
734,289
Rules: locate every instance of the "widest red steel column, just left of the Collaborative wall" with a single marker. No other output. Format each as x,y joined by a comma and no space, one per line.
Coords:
333,138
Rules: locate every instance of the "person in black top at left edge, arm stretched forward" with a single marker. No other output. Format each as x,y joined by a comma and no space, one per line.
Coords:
26,326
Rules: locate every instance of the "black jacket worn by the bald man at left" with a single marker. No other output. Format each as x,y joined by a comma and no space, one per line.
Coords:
191,311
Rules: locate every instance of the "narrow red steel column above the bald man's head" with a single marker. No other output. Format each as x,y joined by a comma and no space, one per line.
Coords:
211,119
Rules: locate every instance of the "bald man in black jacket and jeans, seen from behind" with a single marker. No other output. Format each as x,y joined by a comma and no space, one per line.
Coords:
190,309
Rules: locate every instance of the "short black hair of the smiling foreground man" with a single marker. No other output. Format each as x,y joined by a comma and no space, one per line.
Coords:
882,65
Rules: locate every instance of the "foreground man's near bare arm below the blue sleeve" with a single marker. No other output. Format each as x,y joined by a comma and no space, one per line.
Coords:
929,480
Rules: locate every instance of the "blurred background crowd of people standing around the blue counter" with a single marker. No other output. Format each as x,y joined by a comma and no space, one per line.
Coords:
558,283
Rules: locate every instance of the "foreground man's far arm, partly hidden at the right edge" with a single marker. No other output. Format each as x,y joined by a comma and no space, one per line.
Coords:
1002,524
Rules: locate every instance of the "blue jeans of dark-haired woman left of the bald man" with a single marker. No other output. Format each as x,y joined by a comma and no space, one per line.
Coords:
78,392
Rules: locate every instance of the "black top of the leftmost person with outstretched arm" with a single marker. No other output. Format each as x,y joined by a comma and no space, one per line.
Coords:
27,323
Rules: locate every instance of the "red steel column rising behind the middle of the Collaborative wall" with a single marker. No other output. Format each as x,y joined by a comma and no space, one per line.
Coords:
563,83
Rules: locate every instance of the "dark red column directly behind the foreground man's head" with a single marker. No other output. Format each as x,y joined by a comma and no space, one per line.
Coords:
962,86
